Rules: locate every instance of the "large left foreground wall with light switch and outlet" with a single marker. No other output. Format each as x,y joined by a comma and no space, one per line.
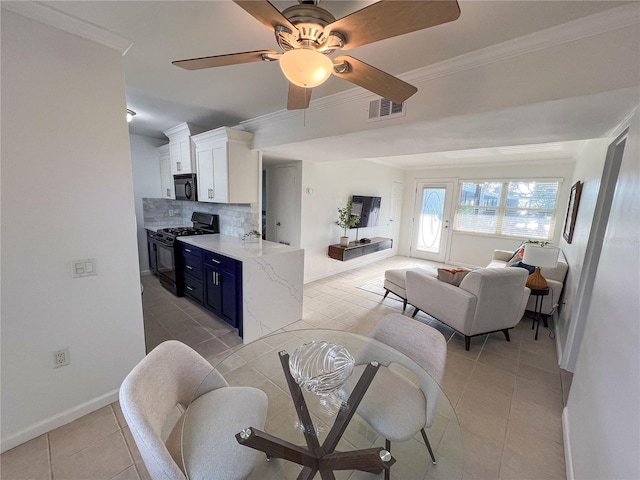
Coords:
67,193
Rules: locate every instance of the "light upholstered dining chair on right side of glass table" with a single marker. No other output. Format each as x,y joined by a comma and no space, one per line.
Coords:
395,407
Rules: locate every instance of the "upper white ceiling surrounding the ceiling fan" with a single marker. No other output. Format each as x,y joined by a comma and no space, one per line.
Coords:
161,31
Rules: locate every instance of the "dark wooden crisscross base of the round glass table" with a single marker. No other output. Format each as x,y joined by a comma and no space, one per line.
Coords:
315,457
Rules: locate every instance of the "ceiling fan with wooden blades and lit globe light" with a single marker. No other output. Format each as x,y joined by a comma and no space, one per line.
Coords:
309,34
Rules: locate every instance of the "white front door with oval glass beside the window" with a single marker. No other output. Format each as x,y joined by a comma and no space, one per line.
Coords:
431,221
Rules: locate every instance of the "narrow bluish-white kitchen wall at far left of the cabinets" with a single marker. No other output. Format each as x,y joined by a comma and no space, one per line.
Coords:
146,183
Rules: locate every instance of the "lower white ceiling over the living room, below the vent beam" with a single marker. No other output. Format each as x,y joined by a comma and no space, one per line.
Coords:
555,129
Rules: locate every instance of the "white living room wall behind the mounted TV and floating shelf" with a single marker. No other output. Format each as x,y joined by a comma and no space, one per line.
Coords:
333,183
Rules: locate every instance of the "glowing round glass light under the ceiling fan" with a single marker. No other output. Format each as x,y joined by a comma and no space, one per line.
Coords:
306,68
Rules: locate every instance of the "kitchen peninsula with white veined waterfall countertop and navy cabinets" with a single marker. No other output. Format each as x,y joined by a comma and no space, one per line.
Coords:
271,279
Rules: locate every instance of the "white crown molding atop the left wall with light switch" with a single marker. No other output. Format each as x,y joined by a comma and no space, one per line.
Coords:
55,18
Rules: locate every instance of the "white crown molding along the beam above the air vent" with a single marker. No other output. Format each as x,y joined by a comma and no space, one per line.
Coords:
592,25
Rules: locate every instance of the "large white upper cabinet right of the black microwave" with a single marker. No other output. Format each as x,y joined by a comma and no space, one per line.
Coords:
227,168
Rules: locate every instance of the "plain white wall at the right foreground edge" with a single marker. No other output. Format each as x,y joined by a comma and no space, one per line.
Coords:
602,417
